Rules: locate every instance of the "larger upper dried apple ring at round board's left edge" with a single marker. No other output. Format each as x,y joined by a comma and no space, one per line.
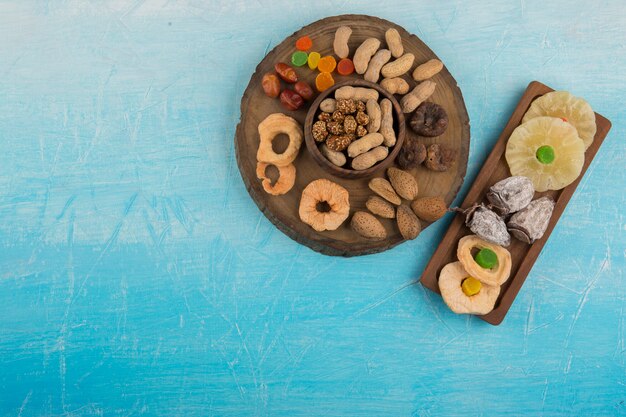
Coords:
272,126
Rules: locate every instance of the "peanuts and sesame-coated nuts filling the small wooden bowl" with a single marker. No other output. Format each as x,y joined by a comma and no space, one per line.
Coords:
354,124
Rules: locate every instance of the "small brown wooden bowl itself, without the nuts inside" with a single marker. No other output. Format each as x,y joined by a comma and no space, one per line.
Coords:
398,125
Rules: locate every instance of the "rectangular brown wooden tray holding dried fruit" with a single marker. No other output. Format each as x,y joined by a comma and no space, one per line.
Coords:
523,256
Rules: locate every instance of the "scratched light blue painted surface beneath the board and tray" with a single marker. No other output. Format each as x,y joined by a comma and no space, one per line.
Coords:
137,277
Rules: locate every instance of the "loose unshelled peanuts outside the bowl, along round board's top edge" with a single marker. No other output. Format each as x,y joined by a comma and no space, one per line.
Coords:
372,63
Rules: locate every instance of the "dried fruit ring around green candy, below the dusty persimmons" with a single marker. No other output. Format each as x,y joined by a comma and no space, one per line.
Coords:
494,276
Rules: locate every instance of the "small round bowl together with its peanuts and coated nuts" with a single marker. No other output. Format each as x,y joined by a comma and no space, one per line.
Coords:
322,128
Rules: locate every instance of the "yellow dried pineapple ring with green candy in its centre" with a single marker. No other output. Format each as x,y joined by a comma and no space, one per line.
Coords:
569,153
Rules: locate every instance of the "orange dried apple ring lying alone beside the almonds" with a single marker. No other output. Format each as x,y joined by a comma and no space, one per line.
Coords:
319,192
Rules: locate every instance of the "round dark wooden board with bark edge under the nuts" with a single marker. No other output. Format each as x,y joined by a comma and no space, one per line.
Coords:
283,210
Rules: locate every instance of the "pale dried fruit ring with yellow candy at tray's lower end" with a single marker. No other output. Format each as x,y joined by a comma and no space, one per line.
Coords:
450,281
